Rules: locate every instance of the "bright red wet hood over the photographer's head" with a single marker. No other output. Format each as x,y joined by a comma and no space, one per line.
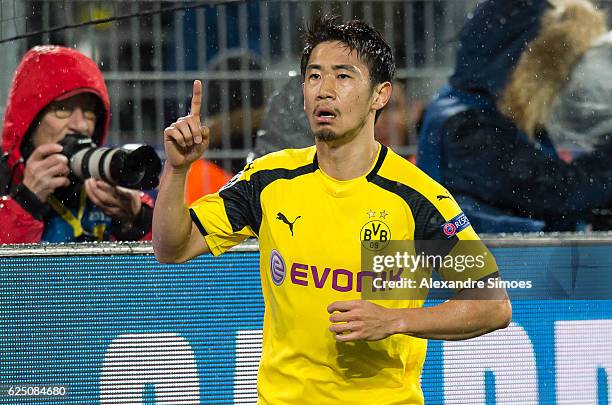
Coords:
45,74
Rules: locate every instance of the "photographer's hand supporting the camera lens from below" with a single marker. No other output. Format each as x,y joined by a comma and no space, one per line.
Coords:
121,204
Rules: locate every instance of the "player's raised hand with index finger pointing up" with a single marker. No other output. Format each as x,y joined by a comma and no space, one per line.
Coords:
186,139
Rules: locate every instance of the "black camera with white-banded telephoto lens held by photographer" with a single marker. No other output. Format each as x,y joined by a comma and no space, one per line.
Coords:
137,168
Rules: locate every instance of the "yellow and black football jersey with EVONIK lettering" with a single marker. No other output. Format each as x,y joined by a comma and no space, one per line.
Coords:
310,229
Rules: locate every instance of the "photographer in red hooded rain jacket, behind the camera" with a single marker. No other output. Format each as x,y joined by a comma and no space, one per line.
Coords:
58,91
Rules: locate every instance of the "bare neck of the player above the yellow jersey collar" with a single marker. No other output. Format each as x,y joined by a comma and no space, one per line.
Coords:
348,160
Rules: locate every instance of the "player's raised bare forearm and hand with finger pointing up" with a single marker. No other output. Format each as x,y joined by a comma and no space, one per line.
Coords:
175,239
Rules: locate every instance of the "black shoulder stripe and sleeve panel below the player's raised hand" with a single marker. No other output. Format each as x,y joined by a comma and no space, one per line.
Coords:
242,200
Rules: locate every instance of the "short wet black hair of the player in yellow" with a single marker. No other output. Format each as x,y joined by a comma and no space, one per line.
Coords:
371,47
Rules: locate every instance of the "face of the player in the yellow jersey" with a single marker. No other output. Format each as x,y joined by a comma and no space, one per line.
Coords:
338,96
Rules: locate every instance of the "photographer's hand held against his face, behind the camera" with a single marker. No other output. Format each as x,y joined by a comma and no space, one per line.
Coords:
46,170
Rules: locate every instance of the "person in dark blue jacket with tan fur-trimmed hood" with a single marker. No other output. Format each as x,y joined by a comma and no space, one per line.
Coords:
484,135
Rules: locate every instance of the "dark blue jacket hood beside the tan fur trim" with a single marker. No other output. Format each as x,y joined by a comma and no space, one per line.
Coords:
491,42
